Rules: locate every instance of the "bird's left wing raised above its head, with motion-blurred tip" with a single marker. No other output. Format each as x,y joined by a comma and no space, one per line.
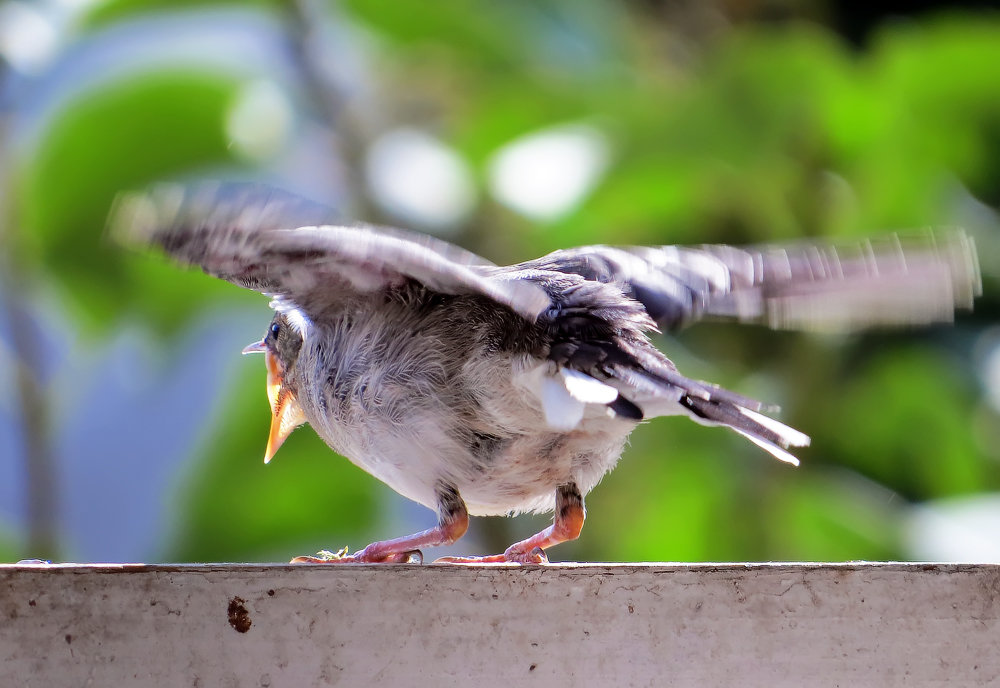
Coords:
243,235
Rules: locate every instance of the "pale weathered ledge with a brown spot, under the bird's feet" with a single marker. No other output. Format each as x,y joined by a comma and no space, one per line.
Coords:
581,625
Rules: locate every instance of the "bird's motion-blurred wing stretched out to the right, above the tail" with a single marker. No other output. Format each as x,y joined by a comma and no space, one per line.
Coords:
891,281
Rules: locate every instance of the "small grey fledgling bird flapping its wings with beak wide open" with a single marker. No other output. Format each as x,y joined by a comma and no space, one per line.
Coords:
478,389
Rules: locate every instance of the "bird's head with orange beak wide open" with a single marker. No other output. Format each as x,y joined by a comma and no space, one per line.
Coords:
280,346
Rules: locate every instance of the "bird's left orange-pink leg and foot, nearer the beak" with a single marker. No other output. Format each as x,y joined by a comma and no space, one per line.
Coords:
453,521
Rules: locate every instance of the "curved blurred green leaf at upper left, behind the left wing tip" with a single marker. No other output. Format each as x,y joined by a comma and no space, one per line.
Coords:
120,136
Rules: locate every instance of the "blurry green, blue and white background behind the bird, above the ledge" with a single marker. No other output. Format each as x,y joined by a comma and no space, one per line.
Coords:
132,430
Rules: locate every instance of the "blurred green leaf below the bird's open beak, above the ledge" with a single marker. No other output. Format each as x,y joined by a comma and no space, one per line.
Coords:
230,507
